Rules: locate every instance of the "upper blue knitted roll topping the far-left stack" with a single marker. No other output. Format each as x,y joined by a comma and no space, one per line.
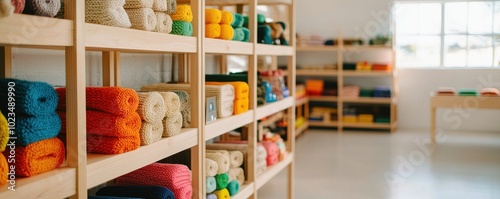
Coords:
31,98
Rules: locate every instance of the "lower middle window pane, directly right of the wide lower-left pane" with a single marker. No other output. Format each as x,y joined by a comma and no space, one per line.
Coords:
455,53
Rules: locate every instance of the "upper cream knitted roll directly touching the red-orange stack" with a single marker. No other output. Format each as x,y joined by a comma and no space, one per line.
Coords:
151,107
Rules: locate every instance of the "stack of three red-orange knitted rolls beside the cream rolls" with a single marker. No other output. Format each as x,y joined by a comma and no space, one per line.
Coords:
113,123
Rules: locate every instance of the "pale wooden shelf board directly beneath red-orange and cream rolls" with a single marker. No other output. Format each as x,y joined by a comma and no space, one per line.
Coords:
102,168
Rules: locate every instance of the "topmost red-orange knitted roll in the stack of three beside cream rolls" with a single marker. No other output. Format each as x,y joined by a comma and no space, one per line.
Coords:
114,100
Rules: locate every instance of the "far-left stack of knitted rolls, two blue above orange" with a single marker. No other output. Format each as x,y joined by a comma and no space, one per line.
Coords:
36,146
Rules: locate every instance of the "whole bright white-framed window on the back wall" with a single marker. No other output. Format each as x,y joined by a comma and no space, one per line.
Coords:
447,34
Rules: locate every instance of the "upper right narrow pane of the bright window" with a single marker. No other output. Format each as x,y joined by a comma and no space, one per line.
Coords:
480,17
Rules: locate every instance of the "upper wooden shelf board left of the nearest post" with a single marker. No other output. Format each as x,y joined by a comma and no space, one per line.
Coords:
20,29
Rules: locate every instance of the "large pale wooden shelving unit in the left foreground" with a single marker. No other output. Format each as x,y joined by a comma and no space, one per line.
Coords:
75,37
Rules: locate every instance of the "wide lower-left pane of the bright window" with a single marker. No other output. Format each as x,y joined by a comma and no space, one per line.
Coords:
418,51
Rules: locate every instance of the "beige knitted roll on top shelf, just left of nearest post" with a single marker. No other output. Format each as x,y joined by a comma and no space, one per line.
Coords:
47,8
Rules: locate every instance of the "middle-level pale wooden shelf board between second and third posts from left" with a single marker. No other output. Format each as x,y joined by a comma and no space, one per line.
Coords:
224,125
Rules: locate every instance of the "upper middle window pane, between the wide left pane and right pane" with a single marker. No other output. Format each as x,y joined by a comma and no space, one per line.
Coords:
455,17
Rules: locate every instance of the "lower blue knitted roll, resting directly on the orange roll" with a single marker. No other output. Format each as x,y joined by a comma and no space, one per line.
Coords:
30,129
